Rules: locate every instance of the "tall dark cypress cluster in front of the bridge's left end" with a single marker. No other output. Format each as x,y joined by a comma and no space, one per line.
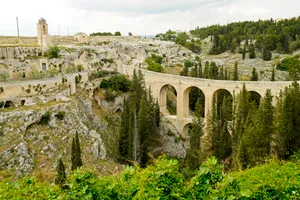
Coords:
140,121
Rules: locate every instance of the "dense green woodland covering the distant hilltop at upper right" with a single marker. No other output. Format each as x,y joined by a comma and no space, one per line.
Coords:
281,36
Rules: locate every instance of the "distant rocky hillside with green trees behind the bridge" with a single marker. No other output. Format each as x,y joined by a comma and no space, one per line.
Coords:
261,45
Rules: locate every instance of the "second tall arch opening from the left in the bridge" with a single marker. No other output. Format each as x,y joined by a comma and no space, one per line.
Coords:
190,97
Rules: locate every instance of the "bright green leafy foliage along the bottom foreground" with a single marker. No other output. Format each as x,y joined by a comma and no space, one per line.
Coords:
163,180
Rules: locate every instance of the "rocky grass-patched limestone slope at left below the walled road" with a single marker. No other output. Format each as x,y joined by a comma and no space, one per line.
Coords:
26,138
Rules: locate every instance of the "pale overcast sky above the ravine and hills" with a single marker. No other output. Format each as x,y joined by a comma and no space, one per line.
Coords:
141,17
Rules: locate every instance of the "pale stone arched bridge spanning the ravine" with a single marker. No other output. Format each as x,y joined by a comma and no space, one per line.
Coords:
159,83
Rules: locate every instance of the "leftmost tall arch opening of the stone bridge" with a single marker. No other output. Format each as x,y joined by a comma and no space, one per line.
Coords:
168,100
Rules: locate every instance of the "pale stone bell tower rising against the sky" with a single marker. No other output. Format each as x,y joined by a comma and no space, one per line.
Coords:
44,38
